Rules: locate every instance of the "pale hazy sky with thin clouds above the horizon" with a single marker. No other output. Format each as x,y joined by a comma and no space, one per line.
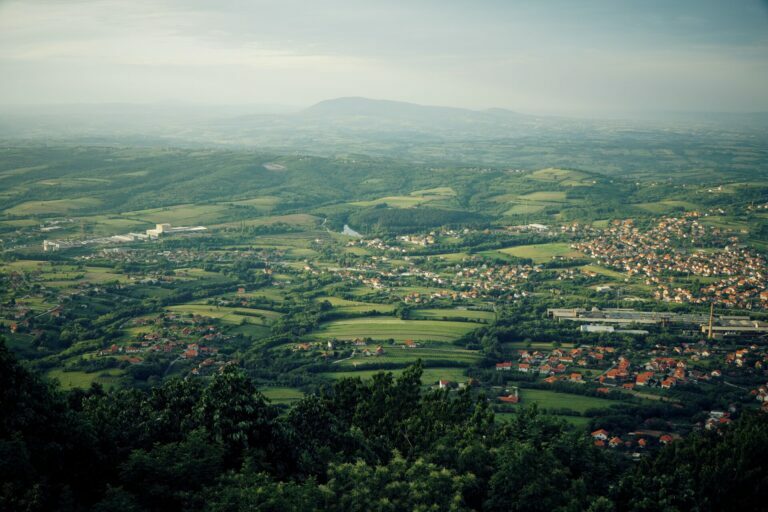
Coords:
566,56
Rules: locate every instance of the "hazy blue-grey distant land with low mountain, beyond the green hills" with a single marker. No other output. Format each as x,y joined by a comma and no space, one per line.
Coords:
356,125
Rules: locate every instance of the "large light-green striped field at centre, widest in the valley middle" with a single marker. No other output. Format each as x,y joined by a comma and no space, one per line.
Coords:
383,328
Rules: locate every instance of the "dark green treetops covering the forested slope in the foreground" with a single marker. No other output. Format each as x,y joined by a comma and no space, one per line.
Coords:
378,445
